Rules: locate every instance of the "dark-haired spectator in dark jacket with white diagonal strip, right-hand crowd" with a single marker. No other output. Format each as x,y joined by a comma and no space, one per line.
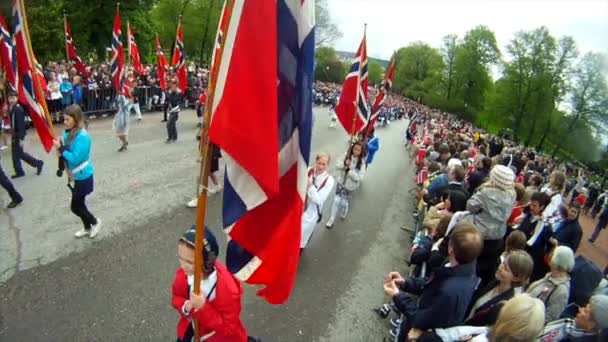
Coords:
538,233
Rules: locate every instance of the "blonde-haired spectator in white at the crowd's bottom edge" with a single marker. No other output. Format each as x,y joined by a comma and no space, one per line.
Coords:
521,319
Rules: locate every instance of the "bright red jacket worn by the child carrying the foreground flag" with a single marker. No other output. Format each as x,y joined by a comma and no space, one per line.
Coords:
221,316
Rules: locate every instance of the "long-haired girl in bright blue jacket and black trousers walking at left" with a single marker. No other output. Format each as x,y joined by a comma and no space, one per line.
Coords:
75,149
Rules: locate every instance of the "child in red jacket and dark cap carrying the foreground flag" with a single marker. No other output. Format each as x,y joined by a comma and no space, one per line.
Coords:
218,307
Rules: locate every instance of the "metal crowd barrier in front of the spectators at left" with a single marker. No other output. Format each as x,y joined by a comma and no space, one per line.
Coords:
99,101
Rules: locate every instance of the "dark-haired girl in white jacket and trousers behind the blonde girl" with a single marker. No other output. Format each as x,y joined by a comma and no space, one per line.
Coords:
349,175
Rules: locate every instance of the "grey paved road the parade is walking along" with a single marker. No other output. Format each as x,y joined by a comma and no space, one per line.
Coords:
117,287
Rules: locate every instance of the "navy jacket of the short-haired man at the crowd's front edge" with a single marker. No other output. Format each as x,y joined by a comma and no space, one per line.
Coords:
444,300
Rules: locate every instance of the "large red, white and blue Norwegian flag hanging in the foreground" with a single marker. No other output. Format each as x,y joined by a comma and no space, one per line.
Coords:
266,67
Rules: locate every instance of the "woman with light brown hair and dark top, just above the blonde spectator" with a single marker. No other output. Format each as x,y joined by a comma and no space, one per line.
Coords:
511,277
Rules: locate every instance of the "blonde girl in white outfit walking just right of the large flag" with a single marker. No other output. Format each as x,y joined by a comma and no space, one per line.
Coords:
320,184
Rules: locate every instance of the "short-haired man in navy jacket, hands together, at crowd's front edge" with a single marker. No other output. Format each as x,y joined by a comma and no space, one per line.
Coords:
443,300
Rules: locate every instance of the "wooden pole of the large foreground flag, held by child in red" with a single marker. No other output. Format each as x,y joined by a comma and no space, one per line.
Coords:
205,153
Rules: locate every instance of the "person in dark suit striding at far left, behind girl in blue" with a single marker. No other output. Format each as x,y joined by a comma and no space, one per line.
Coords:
17,115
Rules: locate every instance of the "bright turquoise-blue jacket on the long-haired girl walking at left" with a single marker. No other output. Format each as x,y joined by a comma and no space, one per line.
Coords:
78,152
